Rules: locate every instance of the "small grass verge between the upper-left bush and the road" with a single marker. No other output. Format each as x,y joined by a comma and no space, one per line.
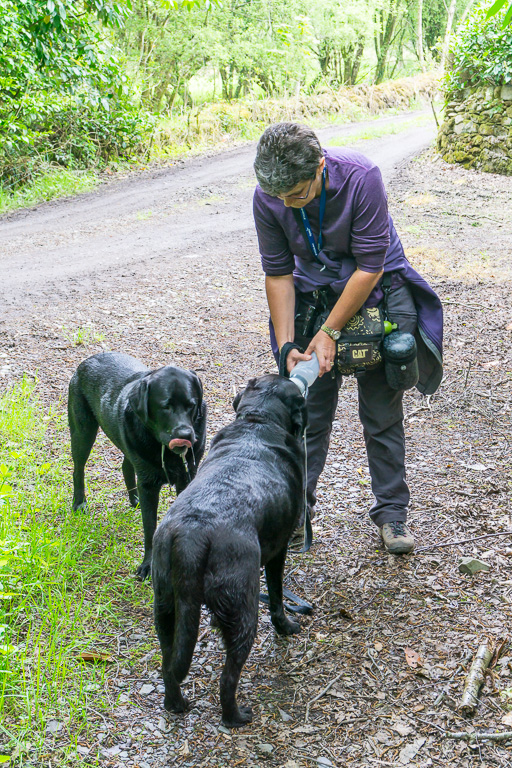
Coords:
47,186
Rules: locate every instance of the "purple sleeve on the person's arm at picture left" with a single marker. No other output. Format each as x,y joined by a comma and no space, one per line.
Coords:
276,256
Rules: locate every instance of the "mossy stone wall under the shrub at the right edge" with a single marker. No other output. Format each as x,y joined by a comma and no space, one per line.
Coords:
477,131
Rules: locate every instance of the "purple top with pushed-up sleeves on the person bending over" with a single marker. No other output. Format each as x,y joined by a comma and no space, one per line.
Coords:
357,230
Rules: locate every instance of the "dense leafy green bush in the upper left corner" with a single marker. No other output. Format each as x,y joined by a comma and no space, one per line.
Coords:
64,97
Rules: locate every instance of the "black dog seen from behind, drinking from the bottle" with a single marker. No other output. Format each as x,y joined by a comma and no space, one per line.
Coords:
236,516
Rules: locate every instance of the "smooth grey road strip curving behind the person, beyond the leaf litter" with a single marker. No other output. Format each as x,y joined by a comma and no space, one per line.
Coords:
199,208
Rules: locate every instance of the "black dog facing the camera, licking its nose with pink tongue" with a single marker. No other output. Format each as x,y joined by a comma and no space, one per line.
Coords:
156,418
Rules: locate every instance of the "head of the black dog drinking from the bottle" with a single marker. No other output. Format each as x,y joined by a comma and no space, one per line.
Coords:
275,399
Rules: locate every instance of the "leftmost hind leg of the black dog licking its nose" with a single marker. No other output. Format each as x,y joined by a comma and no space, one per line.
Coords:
83,428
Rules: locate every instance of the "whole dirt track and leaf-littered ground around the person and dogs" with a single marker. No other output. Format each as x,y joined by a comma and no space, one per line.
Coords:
165,267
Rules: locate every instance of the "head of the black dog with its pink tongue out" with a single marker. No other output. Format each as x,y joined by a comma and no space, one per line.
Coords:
169,402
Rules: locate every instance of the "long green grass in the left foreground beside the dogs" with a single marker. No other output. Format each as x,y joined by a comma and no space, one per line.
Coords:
66,582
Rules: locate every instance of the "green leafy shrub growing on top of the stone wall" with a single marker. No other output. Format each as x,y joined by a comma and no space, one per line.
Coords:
481,51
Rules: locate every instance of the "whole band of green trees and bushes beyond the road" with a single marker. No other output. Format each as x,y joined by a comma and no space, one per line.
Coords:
84,82
